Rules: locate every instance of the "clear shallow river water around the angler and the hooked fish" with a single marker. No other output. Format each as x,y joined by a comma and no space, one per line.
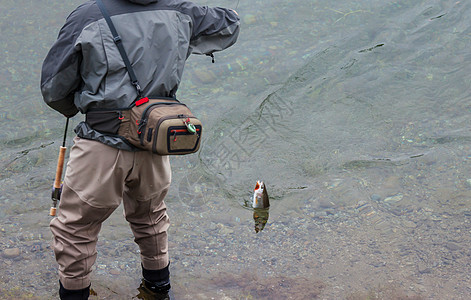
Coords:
356,114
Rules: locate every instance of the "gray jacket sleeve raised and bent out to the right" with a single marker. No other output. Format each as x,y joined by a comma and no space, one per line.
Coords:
214,29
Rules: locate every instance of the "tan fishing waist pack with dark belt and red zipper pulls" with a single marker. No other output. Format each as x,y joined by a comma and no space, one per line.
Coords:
163,126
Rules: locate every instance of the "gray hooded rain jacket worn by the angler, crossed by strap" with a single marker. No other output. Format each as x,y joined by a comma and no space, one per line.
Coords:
84,70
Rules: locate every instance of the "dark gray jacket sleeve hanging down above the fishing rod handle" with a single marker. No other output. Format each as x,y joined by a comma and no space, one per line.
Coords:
60,76
